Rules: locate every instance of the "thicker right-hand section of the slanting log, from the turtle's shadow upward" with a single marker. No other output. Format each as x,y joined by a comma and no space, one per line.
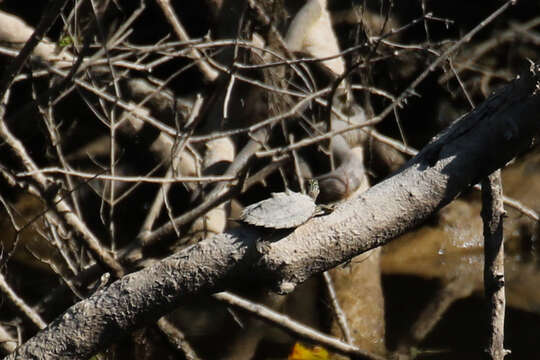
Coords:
507,121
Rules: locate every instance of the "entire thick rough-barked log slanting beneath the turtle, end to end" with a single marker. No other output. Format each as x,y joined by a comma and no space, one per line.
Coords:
462,156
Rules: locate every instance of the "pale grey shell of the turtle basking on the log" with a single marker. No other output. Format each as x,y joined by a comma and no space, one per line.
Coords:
282,211
